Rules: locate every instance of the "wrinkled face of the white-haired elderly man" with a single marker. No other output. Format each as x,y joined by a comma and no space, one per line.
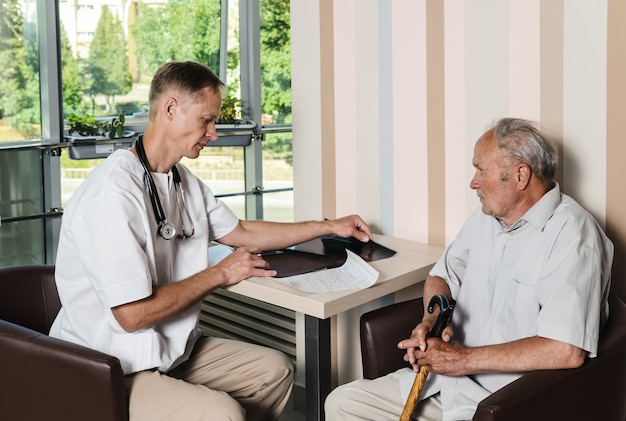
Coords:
496,189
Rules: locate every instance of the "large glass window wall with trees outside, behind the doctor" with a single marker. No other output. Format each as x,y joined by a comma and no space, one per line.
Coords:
109,50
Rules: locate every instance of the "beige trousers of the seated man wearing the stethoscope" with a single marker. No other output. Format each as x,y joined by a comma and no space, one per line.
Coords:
222,380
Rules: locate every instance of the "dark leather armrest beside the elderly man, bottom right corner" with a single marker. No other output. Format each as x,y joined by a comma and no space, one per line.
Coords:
597,390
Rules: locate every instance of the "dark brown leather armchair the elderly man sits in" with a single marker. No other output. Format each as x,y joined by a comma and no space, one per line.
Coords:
595,391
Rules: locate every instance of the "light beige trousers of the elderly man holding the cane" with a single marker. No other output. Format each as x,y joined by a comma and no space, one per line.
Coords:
377,400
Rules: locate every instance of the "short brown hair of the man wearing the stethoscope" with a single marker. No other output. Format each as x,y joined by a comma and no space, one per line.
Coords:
185,77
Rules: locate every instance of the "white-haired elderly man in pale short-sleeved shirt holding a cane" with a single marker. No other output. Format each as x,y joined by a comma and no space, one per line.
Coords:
530,273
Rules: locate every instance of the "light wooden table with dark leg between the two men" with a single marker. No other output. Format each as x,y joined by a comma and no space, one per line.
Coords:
410,265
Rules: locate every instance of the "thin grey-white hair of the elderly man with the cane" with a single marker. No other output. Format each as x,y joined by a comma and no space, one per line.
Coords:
523,141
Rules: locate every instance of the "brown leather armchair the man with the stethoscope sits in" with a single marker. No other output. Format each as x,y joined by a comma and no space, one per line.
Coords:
44,378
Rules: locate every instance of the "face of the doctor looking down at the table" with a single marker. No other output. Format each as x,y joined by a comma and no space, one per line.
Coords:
193,124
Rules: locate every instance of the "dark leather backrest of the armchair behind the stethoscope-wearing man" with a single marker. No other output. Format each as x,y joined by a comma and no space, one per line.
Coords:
29,297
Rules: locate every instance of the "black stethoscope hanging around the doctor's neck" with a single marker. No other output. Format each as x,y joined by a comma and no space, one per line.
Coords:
165,229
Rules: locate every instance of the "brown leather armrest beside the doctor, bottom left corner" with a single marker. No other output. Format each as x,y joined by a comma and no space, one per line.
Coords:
47,378
